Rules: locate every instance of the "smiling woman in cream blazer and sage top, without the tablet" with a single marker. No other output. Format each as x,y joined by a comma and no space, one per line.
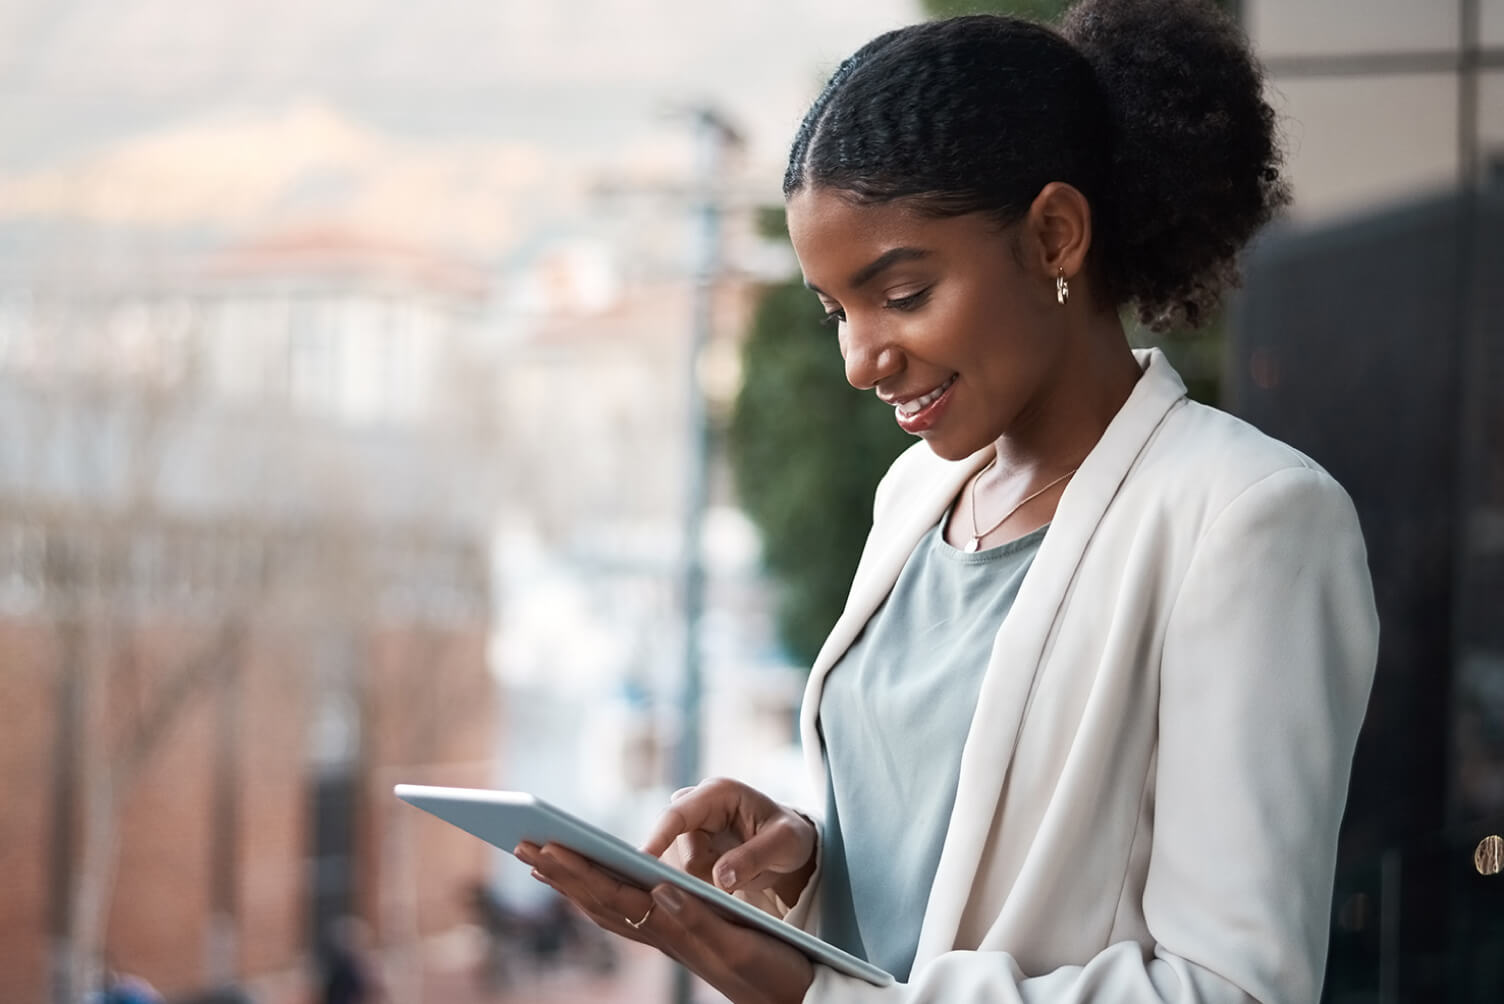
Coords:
1087,722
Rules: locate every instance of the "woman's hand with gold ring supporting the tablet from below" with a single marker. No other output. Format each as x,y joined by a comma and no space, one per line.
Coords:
748,967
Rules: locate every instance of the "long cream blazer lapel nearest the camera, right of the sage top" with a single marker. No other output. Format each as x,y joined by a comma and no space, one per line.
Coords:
1020,646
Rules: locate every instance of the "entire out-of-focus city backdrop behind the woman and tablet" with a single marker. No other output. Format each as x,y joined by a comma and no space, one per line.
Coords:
426,393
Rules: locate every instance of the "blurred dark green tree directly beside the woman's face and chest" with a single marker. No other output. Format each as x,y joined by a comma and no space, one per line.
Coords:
807,452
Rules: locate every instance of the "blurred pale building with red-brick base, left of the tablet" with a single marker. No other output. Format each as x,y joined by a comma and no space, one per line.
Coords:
244,588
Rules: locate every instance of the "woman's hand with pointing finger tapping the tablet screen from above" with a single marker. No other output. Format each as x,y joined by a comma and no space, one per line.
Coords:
738,838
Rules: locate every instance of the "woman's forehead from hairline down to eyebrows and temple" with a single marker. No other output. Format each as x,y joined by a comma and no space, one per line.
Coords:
835,237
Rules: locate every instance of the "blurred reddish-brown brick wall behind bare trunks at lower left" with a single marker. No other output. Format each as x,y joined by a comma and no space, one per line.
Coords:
428,715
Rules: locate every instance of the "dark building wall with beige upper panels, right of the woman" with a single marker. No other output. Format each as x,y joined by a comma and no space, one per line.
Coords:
1372,337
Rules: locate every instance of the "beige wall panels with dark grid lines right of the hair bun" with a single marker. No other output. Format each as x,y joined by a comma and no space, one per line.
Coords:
1381,100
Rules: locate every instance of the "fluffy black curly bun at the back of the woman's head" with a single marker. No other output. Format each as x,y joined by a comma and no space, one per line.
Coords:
1195,159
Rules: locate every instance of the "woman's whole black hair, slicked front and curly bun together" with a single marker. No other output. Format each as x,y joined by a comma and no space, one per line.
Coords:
1153,109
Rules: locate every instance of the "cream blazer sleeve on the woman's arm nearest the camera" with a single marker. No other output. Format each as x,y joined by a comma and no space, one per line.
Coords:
1266,673
